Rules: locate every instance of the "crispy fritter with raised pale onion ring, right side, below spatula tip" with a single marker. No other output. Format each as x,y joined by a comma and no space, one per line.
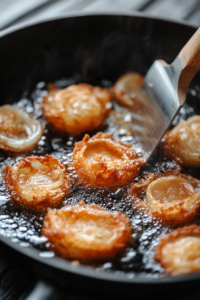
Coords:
171,196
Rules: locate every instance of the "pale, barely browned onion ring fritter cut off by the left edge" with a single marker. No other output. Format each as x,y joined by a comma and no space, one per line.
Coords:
18,132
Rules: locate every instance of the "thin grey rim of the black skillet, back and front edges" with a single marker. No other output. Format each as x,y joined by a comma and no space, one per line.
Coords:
56,262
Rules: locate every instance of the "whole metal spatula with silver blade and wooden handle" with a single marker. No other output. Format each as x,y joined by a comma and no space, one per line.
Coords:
162,95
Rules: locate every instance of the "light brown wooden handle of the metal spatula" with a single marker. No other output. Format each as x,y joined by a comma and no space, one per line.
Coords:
190,60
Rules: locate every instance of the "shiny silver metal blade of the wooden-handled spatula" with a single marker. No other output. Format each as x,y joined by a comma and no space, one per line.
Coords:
158,104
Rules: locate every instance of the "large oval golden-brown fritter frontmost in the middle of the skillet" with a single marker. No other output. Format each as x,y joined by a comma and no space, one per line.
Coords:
87,233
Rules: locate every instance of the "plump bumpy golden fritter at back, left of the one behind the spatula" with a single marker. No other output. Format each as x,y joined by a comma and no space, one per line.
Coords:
77,108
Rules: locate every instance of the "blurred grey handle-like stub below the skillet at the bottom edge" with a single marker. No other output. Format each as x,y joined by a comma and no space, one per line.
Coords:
43,290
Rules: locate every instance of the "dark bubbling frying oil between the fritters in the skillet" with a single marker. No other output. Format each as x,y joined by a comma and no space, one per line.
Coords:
25,227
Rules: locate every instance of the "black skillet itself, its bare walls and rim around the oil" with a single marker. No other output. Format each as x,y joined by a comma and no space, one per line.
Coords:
97,46
